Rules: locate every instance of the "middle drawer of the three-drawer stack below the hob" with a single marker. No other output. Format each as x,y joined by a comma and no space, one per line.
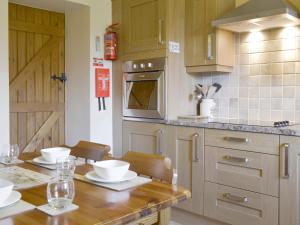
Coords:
241,169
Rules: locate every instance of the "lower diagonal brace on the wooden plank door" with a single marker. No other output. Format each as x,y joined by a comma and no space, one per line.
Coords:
39,136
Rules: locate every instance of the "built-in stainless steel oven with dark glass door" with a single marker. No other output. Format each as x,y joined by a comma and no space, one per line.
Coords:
144,88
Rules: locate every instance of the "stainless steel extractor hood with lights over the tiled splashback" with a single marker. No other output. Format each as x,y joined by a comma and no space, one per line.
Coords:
259,15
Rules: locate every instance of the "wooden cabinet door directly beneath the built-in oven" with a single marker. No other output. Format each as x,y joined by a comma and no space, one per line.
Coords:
144,137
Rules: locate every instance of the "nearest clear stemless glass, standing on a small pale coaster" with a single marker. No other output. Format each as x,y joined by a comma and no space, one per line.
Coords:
60,193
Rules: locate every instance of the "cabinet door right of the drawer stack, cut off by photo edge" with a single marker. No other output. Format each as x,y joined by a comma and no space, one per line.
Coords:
290,181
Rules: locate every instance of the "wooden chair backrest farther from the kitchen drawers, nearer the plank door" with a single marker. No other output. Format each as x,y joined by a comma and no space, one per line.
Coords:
90,150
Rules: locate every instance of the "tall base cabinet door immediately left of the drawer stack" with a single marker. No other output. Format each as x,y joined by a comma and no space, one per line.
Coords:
186,146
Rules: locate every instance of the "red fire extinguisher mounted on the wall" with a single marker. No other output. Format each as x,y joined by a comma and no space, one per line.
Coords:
110,43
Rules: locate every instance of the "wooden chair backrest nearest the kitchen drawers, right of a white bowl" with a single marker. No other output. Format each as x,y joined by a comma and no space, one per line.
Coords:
154,166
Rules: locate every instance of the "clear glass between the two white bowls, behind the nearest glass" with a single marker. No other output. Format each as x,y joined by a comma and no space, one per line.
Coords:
65,167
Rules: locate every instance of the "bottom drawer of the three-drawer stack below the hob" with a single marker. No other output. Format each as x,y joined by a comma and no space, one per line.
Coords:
239,207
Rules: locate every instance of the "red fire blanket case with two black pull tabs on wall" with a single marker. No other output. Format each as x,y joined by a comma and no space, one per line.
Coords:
102,80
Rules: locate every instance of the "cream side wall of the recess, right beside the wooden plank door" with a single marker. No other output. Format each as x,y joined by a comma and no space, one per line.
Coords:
77,70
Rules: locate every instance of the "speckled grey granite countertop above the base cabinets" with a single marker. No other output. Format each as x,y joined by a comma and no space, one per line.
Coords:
265,127
